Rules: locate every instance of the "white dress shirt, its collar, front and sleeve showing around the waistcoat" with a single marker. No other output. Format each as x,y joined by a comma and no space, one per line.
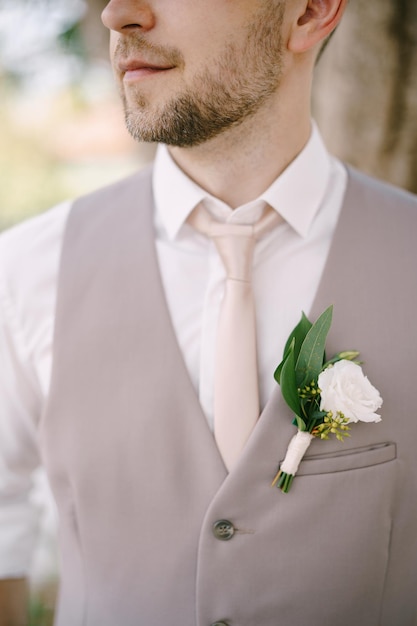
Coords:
288,264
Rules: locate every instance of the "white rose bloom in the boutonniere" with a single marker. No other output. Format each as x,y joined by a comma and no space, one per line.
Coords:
345,388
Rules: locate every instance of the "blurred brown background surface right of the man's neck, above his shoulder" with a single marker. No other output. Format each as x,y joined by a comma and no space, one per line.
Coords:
365,97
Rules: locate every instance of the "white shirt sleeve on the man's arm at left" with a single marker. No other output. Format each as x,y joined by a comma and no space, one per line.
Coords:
29,270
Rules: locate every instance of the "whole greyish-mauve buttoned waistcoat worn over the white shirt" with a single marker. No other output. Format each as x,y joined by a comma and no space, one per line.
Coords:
137,476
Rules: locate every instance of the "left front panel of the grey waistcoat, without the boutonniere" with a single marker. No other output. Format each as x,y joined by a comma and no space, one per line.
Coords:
124,439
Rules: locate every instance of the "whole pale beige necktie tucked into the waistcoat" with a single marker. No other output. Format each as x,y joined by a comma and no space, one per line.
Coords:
236,395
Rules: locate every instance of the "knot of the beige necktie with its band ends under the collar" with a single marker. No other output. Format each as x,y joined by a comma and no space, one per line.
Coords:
235,242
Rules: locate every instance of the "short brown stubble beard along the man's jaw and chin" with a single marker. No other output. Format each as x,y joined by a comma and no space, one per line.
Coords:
221,97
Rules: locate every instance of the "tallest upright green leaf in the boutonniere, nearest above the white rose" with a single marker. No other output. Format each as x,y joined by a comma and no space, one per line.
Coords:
311,356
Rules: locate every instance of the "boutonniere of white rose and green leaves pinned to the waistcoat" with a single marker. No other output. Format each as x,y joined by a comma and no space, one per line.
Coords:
326,396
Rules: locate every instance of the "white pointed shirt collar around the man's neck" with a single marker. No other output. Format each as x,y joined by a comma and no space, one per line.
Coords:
296,194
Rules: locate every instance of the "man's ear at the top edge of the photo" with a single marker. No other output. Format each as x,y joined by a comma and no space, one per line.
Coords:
315,21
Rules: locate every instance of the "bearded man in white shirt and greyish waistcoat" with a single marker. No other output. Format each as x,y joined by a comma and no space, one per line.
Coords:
158,524
